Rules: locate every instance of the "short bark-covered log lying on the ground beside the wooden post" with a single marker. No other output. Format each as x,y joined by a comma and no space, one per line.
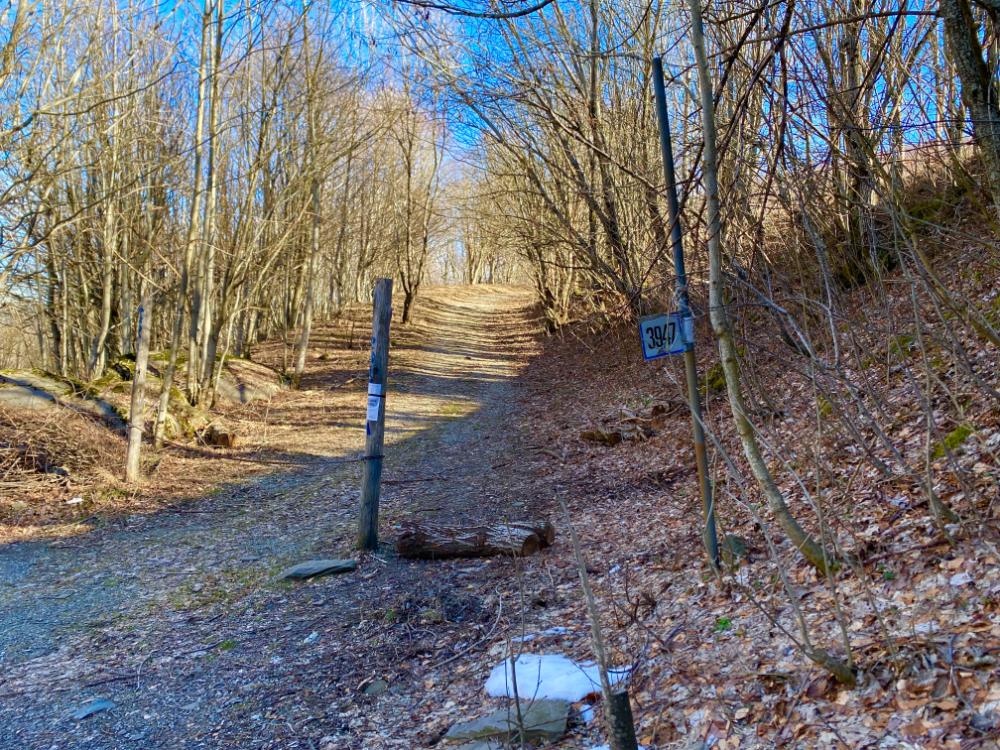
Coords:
517,538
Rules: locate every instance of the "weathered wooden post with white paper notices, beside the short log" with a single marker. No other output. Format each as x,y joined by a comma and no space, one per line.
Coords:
375,416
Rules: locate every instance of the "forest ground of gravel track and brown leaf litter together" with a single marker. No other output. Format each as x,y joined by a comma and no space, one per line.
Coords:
172,613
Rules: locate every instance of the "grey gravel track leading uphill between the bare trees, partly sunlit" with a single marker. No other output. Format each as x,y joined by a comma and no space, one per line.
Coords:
175,616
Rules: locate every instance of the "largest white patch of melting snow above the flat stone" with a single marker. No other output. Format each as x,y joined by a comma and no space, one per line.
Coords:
552,676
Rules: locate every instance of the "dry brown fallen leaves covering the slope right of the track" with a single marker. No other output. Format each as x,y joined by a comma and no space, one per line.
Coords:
717,661
